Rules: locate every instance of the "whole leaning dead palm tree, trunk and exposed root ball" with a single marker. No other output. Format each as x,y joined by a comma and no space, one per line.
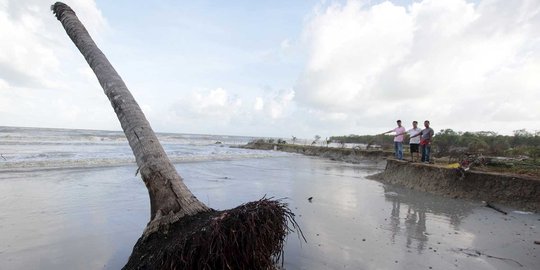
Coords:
183,233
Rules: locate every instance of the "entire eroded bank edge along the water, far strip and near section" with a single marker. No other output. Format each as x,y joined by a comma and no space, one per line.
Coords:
518,191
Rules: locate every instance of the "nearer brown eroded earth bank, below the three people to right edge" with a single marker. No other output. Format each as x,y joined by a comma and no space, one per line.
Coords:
513,190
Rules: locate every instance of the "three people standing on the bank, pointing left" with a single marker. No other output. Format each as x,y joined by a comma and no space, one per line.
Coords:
419,140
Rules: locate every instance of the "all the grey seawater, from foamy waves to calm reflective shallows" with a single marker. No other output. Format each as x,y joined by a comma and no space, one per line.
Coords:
70,199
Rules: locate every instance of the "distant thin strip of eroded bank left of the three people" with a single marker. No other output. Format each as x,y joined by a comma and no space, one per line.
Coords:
338,154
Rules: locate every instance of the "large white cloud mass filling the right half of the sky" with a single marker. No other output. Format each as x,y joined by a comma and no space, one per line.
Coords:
461,64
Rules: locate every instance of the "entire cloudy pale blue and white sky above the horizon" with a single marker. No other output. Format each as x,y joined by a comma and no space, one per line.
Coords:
279,68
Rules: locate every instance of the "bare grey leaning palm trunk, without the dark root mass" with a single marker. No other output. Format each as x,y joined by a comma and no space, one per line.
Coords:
170,199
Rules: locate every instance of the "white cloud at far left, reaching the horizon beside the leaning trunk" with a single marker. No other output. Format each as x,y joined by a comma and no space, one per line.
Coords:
45,81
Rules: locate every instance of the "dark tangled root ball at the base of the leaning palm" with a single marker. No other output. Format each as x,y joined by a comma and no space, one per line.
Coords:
250,236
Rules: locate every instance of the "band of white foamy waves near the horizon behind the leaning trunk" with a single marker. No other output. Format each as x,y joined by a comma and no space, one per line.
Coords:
42,148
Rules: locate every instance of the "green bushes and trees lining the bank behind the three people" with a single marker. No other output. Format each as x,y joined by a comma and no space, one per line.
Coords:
486,150
